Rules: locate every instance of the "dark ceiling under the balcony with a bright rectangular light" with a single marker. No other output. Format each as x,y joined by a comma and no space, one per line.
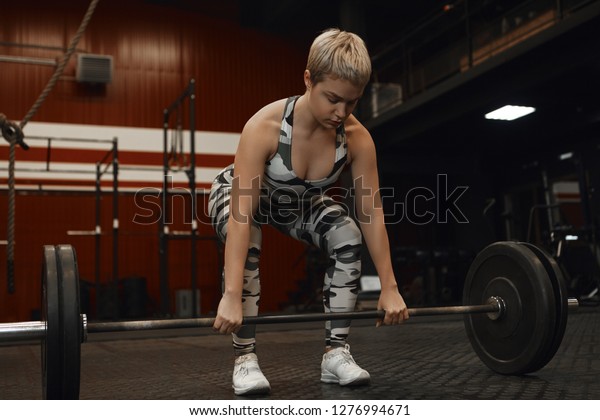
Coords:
557,72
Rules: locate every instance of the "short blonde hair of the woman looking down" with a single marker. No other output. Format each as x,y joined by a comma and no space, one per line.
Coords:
339,54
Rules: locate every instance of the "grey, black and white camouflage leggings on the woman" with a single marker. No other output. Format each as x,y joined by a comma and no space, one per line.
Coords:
325,224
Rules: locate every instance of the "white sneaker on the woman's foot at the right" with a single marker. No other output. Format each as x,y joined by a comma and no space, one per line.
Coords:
338,367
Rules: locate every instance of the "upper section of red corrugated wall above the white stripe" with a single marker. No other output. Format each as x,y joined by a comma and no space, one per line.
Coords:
156,50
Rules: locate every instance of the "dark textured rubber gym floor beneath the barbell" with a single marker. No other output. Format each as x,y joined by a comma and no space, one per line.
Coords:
426,358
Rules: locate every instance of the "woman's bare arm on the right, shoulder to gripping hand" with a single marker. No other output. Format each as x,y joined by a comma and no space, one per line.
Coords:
372,223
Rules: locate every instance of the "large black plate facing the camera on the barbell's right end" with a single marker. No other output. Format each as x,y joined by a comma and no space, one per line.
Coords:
514,343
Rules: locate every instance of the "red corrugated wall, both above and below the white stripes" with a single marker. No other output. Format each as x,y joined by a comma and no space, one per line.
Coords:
156,50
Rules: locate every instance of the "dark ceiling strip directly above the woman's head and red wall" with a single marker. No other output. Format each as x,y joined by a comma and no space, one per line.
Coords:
379,21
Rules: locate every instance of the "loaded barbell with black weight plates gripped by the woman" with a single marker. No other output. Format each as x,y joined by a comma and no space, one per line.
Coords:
514,305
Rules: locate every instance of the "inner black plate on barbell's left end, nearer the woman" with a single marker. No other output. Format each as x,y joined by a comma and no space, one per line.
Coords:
70,320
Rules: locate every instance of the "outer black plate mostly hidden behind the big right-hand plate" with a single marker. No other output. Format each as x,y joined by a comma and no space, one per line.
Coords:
561,301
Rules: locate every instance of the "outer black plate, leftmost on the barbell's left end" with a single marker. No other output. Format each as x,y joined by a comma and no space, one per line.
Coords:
51,344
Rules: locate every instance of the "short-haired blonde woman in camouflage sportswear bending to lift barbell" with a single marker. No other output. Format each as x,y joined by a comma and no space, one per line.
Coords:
289,153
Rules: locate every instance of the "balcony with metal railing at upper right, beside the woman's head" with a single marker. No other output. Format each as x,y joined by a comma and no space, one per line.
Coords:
452,40
